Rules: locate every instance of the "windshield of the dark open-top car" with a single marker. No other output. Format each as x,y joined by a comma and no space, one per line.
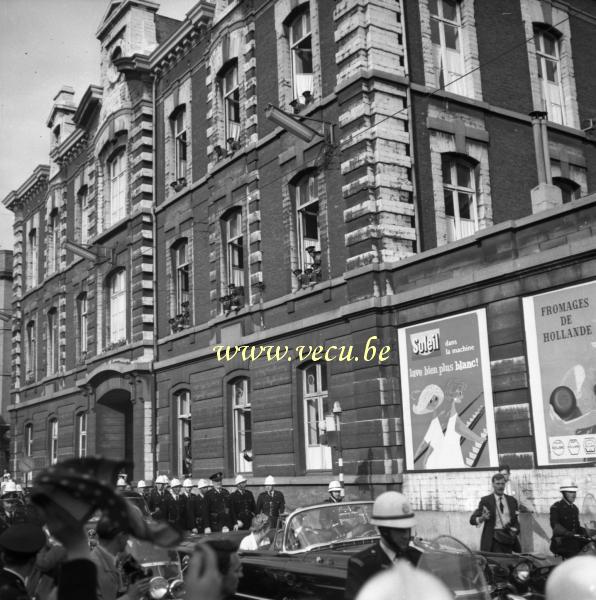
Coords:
328,524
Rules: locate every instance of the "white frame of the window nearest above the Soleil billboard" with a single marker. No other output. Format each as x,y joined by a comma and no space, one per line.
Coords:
455,227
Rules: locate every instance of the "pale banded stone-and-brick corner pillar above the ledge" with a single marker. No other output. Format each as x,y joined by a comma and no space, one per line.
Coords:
374,139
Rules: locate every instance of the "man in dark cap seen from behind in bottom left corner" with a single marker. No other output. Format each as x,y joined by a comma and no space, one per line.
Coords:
19,545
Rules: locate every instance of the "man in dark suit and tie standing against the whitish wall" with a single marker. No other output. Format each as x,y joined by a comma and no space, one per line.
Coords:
497,512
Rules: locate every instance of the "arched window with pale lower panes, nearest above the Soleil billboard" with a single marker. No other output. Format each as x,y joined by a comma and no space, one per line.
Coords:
459,192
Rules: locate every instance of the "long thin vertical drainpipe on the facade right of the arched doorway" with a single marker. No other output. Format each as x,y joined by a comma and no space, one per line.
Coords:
154,262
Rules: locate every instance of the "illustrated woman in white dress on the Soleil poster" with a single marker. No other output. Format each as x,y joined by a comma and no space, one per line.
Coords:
442,440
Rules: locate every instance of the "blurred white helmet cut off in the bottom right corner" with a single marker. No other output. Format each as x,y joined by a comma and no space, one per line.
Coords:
574,578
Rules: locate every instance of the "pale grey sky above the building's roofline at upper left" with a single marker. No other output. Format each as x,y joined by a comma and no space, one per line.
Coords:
44,44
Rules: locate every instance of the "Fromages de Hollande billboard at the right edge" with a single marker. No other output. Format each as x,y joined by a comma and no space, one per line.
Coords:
561,346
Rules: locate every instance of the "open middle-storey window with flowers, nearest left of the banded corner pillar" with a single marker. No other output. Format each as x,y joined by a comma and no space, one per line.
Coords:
307,220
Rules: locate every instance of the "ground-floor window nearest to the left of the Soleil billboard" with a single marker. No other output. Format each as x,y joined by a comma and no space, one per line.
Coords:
314,385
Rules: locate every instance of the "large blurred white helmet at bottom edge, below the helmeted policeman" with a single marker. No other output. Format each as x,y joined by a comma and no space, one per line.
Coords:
403,582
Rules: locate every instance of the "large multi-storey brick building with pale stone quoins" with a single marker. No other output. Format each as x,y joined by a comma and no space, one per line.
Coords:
427,197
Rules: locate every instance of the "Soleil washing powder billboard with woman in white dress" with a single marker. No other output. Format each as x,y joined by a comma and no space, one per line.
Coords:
447,394
